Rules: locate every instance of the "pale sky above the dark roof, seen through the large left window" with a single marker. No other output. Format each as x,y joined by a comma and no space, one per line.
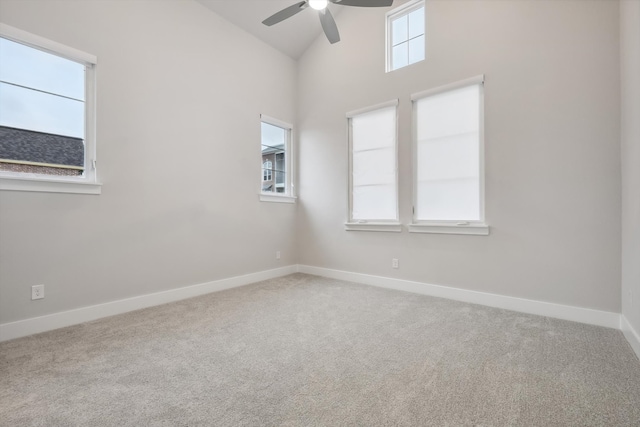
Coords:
40,91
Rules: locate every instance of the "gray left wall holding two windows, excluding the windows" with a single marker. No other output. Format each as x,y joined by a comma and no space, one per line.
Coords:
180,94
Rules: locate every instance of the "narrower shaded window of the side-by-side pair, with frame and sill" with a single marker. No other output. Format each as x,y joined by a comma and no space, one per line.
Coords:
373,177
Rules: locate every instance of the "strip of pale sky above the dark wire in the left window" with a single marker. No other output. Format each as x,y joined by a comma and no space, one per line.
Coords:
26,66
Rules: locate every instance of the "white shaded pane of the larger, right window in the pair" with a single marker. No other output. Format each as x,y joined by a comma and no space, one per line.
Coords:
448,155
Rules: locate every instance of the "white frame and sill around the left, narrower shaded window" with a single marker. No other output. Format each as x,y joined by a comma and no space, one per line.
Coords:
370,225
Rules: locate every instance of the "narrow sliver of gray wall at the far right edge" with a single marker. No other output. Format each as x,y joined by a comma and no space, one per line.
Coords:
630,71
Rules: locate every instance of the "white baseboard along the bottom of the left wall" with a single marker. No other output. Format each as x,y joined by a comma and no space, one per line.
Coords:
49,322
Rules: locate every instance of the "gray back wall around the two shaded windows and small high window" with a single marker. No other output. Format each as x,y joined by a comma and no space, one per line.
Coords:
552,104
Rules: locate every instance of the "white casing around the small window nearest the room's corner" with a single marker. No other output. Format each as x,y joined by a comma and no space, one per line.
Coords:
275,176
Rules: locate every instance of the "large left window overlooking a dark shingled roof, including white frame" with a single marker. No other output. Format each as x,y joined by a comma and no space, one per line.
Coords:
47,135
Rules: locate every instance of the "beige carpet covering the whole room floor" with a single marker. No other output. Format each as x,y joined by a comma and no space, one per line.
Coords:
309,351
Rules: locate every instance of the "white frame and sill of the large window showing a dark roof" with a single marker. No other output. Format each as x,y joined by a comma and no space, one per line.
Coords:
87,184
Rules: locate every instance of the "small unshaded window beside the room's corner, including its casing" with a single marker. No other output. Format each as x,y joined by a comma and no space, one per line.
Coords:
276,150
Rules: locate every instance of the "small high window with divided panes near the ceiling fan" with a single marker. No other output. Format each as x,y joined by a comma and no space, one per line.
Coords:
405,35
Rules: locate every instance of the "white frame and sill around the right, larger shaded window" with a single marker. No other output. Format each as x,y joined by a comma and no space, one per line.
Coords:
478,227
